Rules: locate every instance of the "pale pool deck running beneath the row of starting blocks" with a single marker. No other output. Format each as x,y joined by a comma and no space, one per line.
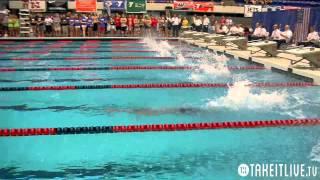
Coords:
280,62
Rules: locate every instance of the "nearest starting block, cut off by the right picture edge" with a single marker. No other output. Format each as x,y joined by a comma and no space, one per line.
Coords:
310,54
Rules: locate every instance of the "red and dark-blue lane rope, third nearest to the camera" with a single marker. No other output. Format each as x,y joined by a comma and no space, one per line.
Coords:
233,68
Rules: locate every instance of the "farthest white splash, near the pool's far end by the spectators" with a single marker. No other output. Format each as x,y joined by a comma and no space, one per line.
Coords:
162,48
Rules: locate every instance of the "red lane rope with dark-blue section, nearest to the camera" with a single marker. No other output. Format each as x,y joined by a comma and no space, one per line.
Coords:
158,127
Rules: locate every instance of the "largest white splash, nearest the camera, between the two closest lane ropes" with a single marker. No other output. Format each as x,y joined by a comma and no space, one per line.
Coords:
240,96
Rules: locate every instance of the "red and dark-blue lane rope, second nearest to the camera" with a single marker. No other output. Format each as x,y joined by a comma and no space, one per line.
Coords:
149,86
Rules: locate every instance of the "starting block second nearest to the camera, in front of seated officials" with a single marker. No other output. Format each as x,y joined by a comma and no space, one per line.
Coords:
270,47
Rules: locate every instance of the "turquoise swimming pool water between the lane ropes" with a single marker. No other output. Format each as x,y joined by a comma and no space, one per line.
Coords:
208,154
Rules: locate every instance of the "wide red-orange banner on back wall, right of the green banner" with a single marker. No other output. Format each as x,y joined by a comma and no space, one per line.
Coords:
193,6
